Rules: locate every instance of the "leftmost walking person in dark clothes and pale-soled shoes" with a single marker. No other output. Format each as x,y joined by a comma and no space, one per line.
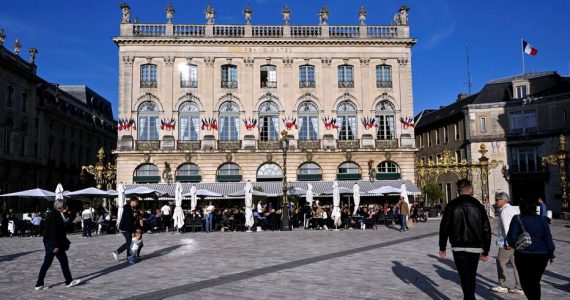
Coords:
55,244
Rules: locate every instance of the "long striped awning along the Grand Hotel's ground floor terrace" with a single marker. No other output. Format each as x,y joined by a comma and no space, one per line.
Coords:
275,188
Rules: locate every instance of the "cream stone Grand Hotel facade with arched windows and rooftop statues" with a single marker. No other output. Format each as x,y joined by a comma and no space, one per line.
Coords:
208,102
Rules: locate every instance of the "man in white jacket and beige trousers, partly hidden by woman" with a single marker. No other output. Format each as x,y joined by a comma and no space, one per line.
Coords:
506,251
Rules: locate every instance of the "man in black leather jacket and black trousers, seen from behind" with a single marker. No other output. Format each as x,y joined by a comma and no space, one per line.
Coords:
466,225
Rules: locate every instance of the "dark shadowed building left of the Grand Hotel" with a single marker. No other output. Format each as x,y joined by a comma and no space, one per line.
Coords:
47,131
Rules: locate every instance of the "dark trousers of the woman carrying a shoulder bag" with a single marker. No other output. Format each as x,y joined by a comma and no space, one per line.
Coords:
530,268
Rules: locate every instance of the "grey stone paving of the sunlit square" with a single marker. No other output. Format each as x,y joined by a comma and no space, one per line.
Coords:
349,264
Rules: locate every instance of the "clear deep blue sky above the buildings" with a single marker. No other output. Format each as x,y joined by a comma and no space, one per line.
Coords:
75,44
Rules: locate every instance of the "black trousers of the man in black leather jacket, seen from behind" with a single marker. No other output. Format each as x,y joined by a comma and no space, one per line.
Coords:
466,263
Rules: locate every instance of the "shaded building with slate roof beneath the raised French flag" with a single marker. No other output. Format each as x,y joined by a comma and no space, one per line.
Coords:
519,120
